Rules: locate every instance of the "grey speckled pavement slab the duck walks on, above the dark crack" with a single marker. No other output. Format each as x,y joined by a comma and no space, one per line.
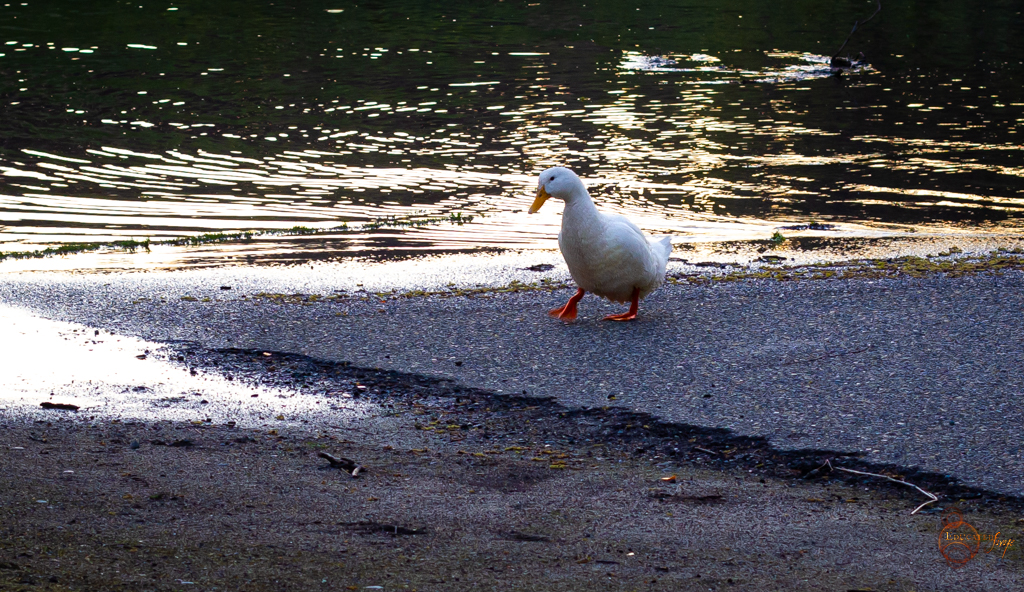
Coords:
912,372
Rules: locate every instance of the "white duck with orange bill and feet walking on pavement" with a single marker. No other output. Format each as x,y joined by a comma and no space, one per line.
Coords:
607,253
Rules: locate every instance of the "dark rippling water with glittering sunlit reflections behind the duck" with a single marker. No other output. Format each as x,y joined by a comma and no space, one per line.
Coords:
715,122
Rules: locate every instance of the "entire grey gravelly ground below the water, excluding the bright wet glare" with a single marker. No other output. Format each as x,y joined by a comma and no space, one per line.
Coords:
741,391
